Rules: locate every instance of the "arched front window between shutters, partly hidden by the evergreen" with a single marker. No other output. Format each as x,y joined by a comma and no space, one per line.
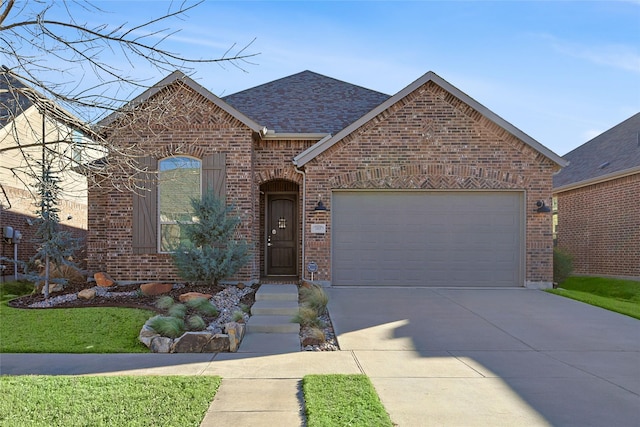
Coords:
178,183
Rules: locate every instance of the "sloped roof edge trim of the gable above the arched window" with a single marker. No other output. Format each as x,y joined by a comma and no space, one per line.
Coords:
180,76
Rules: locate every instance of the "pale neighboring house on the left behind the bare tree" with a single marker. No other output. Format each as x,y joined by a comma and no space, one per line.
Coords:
25,116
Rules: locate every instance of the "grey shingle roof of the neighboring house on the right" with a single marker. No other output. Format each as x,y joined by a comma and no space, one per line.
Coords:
611,154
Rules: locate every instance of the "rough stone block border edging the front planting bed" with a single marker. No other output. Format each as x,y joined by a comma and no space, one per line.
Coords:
194,342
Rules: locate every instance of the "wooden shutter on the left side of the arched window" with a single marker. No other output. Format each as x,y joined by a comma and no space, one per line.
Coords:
145,208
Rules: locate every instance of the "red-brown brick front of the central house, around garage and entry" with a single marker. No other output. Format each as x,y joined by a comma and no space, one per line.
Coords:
428,140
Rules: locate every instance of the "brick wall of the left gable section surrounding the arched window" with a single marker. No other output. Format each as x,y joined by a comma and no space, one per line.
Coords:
177,121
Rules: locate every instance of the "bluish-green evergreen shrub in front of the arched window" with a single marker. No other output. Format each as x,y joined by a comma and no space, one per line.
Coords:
210,252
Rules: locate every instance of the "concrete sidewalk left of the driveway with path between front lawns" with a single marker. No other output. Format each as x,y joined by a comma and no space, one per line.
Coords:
257,389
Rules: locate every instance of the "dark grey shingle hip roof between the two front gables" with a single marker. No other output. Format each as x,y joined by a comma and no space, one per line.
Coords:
306,102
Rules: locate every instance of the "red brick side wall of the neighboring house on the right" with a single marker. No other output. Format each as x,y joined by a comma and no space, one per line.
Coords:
599,225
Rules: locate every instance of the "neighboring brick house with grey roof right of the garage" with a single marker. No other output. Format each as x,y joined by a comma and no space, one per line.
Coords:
598,203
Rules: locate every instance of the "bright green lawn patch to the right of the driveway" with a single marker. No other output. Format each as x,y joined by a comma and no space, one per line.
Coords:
621,296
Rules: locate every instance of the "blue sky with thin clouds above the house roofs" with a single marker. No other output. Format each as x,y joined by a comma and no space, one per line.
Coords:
561,71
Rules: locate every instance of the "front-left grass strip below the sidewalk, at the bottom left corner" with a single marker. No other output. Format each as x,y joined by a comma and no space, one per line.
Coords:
105,401
